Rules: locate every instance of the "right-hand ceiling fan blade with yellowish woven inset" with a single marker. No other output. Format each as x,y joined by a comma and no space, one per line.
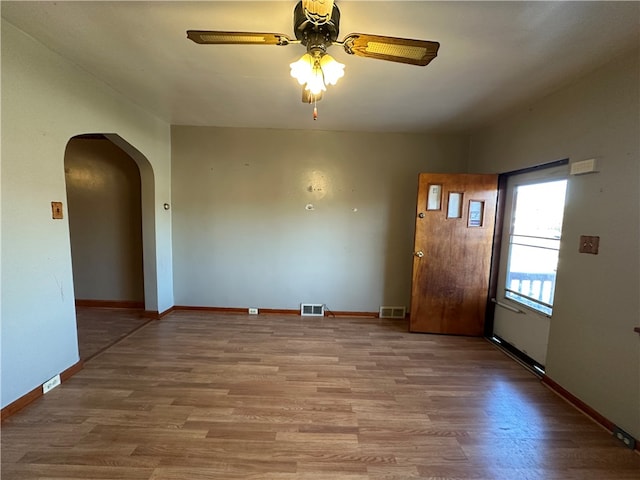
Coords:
402,50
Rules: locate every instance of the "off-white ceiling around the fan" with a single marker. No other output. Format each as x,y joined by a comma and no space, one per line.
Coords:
494,56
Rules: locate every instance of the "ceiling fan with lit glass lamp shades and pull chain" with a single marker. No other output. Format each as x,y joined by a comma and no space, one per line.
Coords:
316,24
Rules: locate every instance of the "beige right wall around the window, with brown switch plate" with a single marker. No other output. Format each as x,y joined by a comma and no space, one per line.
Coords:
593,351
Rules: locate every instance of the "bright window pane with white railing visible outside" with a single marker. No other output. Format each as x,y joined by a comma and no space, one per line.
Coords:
534,242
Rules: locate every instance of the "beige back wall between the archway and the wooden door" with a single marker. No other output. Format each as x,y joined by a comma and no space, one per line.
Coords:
243,237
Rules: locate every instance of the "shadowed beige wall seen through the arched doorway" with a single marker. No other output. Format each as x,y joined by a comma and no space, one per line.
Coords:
105,221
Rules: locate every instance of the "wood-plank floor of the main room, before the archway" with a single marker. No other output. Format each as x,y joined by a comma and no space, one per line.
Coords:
199,396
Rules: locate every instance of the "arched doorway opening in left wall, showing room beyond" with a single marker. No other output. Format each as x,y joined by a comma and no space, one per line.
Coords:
105,204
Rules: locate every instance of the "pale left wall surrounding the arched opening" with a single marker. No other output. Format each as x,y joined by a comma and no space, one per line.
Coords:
46,101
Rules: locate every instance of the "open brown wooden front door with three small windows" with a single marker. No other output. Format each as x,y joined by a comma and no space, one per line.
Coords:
455,218
